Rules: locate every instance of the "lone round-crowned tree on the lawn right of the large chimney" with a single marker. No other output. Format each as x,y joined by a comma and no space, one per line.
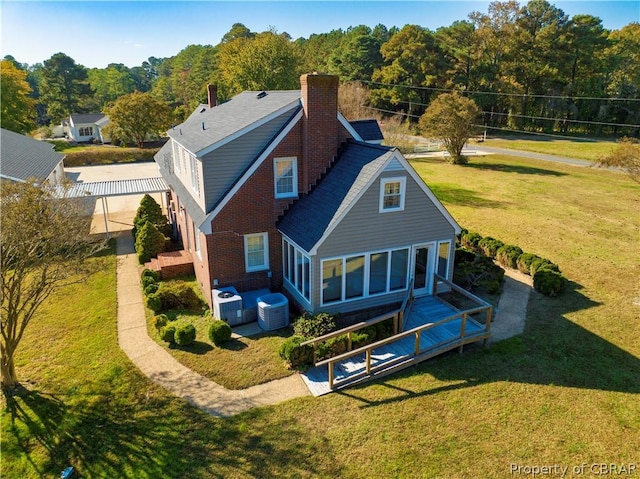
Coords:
450,118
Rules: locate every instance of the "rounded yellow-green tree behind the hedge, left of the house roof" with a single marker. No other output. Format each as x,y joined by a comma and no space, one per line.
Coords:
135,116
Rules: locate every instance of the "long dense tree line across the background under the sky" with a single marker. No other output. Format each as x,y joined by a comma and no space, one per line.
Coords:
528,67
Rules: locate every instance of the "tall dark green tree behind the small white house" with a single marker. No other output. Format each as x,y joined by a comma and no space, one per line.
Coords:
64,86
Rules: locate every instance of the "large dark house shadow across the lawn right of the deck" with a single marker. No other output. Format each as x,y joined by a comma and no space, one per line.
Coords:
552,351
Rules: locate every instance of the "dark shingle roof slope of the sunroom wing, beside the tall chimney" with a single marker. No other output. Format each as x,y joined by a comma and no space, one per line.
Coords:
309,218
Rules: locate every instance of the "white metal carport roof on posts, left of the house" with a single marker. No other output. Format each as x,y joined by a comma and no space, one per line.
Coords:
113,188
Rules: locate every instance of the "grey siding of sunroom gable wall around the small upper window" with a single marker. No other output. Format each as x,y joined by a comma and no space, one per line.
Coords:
364,229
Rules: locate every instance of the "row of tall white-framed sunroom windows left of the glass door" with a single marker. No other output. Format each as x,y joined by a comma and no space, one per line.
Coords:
362,275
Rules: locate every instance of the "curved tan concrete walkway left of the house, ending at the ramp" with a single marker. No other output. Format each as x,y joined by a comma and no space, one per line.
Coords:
156,363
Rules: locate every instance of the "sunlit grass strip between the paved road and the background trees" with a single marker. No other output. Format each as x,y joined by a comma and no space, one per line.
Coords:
583,150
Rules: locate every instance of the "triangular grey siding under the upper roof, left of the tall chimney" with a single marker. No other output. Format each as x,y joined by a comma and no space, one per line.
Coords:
224,166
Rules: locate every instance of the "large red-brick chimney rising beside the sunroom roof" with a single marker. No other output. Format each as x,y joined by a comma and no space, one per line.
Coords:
320,125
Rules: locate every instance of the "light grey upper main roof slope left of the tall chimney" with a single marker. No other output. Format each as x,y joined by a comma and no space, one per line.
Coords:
230,120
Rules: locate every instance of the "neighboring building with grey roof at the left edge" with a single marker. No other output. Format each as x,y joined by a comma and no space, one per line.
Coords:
24,158
